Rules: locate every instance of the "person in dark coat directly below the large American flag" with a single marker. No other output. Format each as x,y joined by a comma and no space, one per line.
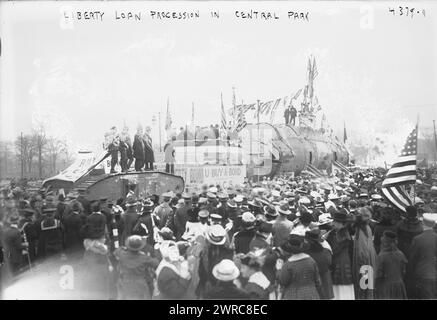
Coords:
407,229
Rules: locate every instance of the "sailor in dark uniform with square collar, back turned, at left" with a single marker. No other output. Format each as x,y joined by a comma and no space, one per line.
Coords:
51,234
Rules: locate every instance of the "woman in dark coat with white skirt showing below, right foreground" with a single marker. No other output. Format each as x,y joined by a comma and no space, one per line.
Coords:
341,244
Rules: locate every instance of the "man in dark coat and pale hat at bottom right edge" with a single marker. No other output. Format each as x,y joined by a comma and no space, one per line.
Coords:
422,262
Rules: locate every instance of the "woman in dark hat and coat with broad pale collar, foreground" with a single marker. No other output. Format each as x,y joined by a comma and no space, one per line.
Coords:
299,275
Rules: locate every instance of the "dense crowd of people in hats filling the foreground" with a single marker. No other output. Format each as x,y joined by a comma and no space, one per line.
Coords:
281,238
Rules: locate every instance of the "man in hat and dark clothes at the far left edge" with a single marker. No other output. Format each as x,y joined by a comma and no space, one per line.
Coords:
13,245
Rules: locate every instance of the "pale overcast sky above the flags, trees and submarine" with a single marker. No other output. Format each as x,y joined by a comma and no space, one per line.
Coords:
101,73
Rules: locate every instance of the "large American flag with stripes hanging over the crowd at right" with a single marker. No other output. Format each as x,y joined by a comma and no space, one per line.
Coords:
401,173
